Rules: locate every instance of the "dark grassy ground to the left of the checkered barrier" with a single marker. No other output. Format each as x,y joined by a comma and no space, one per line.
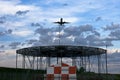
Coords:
20,74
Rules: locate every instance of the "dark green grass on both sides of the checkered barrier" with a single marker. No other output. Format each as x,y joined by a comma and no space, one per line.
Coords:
28,74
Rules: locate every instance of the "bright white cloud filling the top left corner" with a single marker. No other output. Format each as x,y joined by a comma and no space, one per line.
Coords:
14,6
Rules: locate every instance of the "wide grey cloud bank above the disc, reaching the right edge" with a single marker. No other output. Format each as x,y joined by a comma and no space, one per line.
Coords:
80,35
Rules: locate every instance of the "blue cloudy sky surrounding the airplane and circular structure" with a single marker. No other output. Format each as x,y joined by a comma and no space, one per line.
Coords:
26,23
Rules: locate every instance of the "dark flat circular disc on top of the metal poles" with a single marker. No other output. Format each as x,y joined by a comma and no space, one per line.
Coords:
61,51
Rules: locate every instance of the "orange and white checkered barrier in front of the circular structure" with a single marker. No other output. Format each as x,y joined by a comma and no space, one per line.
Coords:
61,72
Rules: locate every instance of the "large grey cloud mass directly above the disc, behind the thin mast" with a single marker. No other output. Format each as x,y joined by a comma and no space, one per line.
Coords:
80,35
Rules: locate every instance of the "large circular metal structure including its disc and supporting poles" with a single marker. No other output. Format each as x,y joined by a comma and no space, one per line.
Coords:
81,56
